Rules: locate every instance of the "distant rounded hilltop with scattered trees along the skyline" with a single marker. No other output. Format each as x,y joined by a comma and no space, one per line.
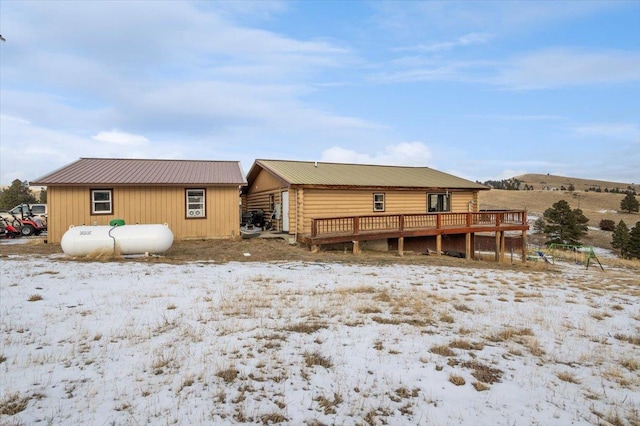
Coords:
550,182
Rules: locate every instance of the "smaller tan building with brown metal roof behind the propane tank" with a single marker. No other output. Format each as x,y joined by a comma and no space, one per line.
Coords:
196,199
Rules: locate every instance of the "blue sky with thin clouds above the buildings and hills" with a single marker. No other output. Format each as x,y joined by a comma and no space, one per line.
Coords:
484,90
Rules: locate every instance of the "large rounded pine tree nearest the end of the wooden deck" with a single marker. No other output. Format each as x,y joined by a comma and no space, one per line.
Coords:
563,225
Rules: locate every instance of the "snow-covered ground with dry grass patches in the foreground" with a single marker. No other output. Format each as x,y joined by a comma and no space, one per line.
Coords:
133,343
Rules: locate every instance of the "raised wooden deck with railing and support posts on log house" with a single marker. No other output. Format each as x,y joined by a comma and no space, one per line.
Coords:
377,227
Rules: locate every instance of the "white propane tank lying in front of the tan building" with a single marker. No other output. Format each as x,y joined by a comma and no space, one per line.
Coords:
125,239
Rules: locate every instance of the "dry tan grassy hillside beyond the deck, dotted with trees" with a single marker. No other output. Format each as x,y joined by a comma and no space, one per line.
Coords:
595,205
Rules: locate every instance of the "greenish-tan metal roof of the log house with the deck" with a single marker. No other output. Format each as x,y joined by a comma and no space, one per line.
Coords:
338,174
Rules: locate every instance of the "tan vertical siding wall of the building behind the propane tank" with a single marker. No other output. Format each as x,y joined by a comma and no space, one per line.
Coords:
71,206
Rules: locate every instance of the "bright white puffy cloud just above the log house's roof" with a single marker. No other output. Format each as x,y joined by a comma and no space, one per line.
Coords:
401,154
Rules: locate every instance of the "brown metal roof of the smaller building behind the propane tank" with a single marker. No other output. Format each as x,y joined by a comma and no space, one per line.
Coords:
119,171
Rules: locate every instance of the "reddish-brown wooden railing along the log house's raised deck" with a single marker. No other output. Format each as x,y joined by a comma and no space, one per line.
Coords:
354,225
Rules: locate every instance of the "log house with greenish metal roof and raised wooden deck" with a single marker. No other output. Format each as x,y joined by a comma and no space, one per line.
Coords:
387,206
